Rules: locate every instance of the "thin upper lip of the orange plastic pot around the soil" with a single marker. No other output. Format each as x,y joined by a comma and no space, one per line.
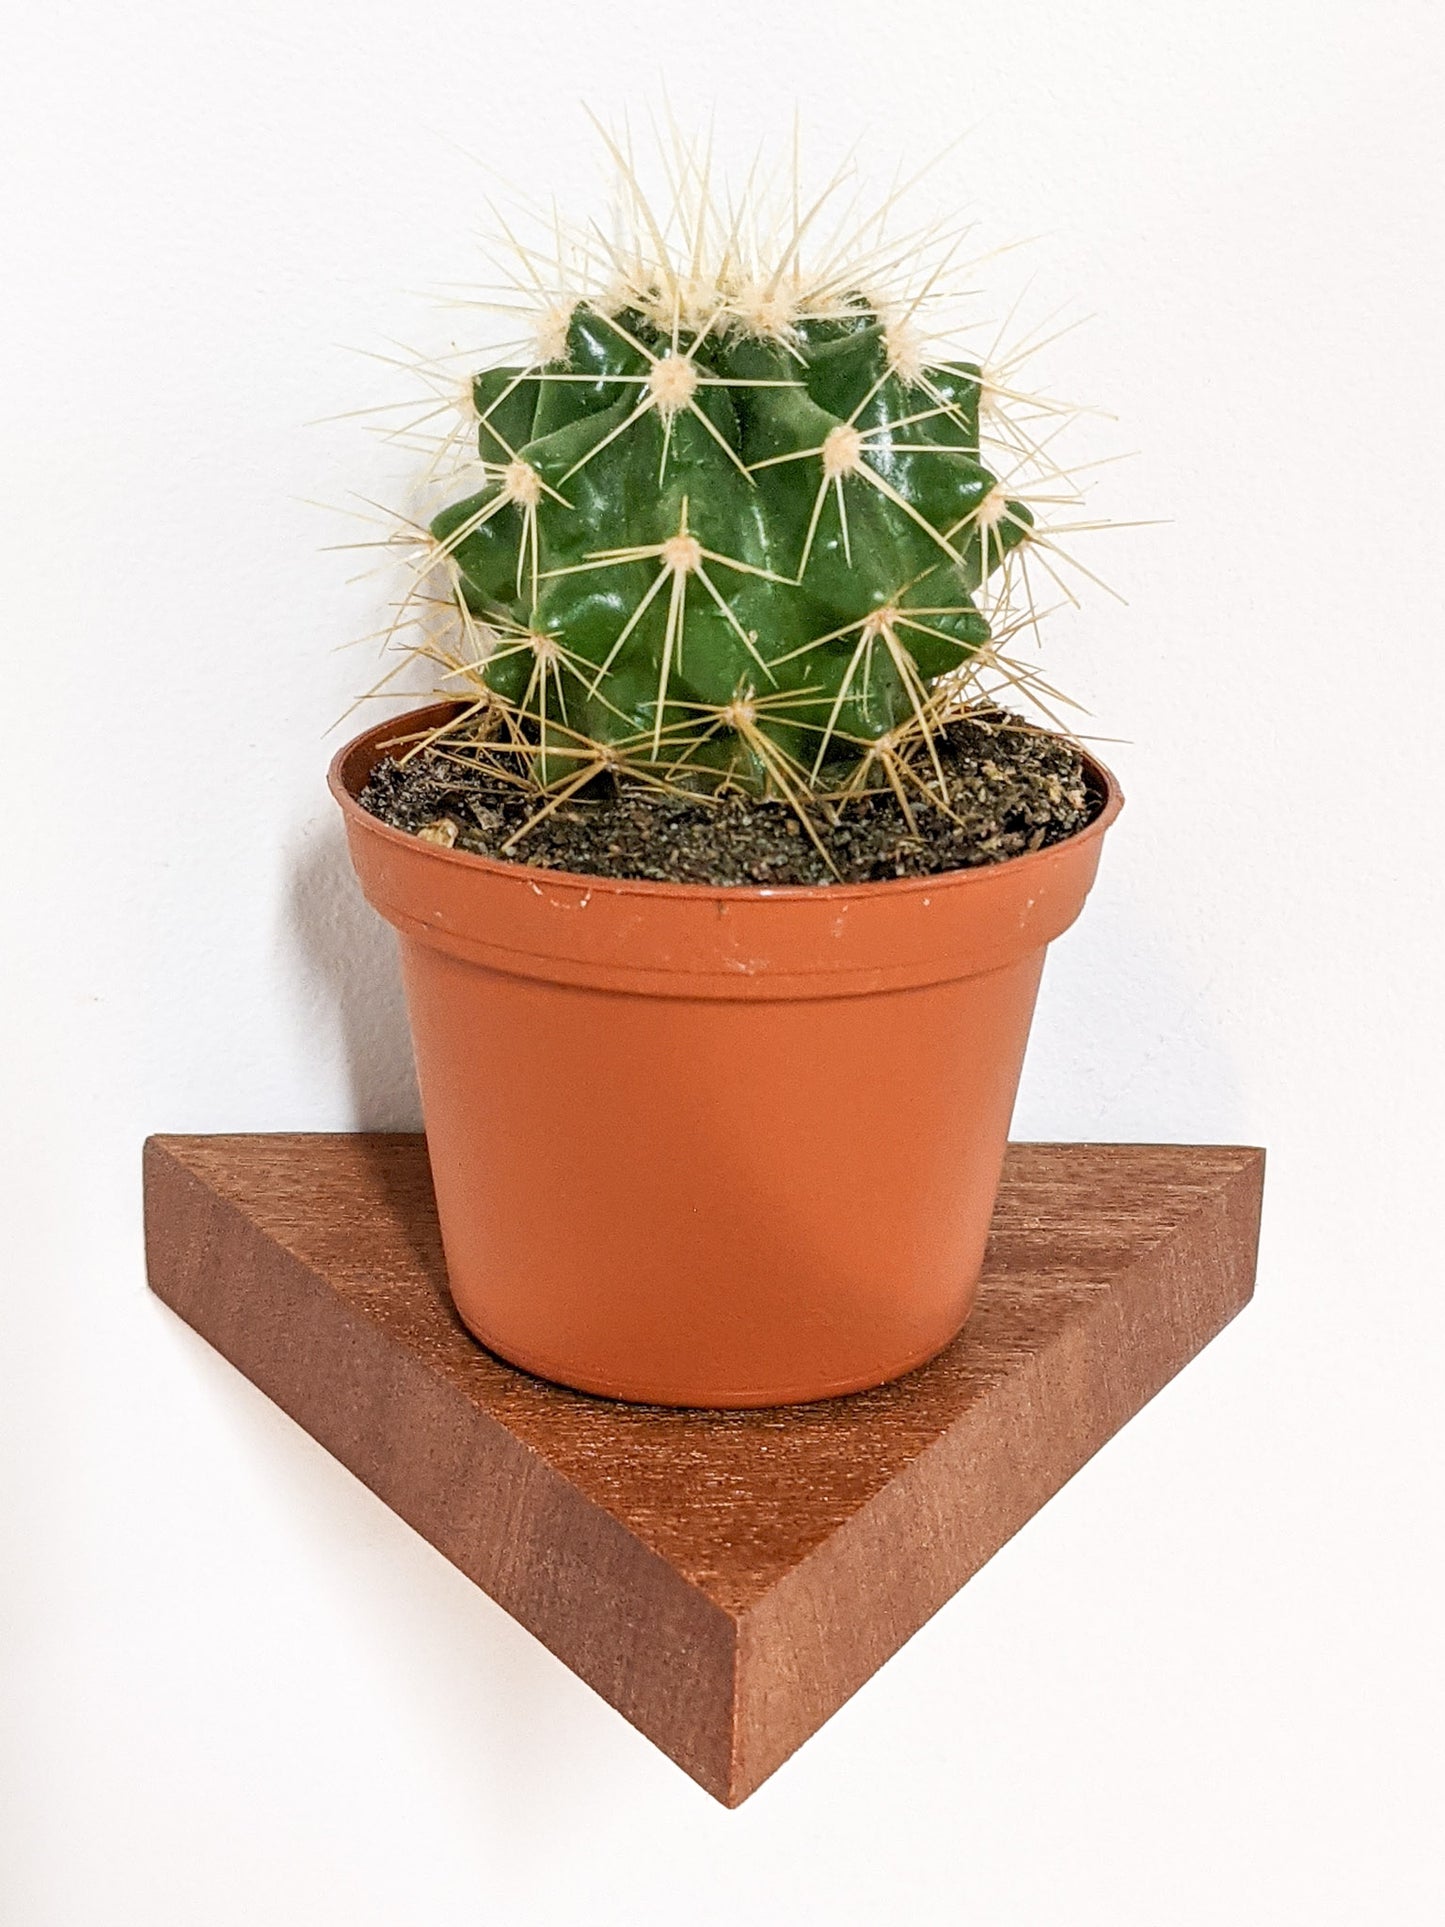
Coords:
714,893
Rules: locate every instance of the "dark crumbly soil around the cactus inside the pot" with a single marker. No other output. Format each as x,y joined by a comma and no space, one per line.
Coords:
1011,789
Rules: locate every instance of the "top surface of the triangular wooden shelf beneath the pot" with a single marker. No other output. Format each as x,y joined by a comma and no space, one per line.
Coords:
729,1500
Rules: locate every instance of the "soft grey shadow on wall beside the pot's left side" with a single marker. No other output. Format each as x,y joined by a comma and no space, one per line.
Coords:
352,984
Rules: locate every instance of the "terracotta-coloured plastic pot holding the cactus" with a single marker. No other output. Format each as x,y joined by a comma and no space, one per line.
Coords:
714,1146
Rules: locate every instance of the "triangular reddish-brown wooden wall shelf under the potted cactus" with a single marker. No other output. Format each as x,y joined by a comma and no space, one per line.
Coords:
723,1579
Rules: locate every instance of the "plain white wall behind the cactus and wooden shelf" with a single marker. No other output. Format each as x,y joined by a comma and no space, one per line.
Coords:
1205,1685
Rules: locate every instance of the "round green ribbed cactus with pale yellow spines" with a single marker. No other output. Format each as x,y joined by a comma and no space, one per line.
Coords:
725,554
